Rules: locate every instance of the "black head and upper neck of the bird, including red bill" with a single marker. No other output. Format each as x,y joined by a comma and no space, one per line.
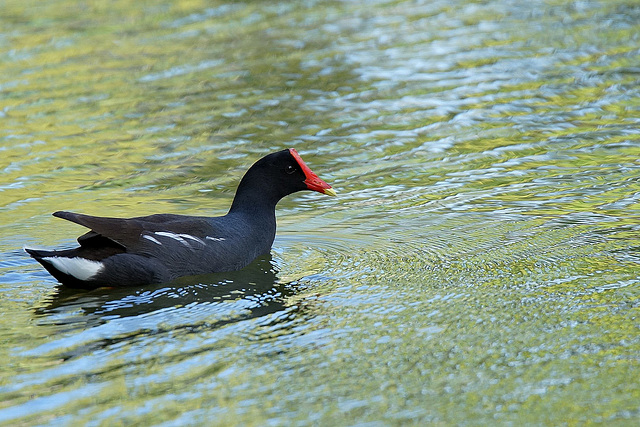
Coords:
275,176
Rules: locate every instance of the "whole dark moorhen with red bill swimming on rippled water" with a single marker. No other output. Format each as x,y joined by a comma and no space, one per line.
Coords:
160,248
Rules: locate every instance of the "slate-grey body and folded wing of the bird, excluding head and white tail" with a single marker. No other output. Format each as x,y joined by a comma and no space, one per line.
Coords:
224,243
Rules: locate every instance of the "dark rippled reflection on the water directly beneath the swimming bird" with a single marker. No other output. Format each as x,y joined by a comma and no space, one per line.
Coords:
256,290
